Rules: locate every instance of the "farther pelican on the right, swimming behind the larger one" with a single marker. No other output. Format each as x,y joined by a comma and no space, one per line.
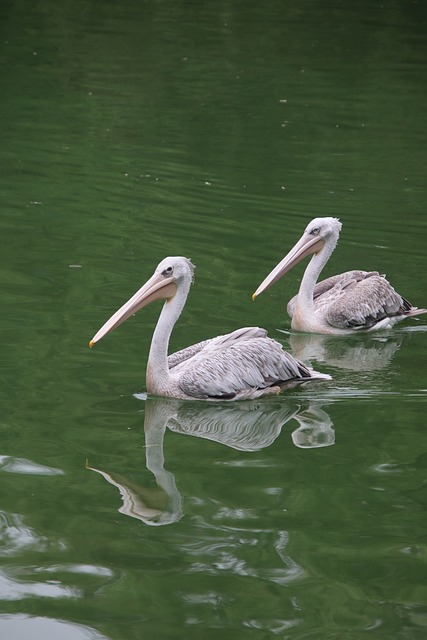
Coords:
343,304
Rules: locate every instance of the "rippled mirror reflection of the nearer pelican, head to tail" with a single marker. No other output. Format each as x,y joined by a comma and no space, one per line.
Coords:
248,426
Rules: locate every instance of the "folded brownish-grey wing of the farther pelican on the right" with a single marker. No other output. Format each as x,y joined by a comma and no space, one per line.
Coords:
361,304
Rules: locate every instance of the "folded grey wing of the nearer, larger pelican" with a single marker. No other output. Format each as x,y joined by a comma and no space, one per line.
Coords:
233,366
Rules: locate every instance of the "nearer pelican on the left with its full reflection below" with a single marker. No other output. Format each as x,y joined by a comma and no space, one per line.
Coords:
242,364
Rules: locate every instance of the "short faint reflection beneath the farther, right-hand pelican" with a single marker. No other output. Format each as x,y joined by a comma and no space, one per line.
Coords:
358,353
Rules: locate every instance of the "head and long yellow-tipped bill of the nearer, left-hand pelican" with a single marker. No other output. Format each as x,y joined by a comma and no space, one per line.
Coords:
171,274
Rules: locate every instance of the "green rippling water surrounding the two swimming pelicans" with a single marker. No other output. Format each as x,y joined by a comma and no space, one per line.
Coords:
132,131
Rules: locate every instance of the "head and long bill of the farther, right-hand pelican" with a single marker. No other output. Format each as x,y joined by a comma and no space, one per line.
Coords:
319,233
